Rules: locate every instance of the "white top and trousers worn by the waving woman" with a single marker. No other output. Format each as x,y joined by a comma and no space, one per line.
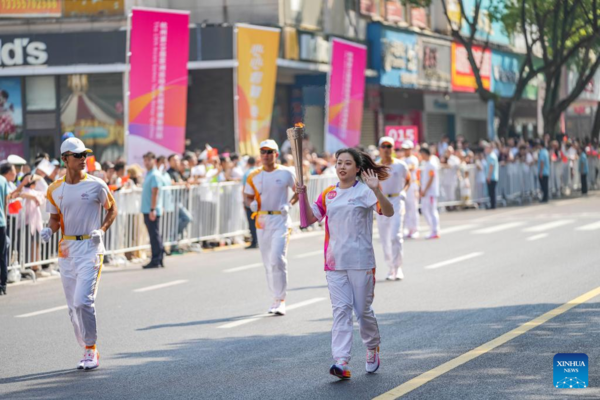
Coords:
349,264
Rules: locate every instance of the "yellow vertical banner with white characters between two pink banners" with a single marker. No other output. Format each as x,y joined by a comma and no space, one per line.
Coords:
257,50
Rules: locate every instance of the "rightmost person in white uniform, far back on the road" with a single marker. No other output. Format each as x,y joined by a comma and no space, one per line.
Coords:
430,191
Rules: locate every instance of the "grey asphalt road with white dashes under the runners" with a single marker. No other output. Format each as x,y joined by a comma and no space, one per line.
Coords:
200,334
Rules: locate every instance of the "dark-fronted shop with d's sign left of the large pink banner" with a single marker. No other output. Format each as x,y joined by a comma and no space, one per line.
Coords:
62,82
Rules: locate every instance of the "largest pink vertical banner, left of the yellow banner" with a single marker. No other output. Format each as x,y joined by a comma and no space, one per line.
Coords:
158,79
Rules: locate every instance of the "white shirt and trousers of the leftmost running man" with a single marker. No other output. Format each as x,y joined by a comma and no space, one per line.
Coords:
79,258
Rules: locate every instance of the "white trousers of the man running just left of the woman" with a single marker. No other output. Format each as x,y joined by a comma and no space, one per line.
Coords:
273,244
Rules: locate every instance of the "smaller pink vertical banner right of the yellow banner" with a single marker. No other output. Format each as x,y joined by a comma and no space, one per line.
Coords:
346,91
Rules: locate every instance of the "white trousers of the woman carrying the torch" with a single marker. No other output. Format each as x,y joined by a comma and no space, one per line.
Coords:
352,289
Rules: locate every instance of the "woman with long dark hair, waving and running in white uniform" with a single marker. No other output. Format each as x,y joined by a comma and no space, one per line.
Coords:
347,209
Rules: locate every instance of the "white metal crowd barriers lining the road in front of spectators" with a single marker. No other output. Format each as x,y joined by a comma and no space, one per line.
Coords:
215,211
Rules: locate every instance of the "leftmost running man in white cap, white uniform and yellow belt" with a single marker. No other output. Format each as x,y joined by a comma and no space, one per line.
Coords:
75,203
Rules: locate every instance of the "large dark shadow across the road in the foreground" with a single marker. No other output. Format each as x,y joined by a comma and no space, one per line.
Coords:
279,366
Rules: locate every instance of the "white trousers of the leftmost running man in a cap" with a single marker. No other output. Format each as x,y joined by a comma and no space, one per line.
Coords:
80,277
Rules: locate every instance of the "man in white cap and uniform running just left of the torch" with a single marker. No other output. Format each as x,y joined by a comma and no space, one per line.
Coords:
267,195
